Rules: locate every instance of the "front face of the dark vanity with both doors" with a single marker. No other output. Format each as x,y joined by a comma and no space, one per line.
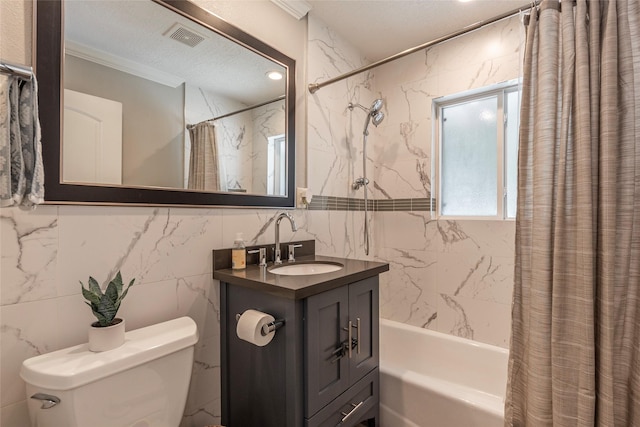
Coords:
341,343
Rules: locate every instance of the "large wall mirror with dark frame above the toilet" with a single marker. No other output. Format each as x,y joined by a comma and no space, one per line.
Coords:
184,95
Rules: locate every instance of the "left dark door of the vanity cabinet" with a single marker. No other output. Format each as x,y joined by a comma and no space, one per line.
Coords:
326,372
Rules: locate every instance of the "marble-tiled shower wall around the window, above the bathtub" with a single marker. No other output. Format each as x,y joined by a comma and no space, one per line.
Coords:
451,276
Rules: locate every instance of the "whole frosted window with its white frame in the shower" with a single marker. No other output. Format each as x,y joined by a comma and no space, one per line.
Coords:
476,157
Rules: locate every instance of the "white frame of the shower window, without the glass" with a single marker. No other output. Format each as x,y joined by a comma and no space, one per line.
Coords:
500,90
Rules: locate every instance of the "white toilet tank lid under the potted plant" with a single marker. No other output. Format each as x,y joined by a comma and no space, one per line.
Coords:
76,366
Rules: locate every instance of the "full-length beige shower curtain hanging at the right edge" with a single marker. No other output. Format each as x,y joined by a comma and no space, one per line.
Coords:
575,345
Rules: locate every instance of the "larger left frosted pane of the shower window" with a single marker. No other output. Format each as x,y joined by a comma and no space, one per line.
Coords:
469,158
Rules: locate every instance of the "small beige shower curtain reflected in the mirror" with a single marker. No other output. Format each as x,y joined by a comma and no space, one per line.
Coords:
203,163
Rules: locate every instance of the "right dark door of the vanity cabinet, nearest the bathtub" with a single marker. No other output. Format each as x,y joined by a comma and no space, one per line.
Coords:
364,315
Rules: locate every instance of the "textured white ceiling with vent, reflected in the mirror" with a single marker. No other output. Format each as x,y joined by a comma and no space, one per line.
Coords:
135,31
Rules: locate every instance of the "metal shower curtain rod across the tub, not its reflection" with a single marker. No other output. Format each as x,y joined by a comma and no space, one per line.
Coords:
314,87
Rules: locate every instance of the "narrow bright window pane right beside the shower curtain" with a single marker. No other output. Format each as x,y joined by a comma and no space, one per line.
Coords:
511,148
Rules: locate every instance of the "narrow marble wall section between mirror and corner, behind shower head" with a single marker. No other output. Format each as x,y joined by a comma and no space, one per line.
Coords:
334,139
